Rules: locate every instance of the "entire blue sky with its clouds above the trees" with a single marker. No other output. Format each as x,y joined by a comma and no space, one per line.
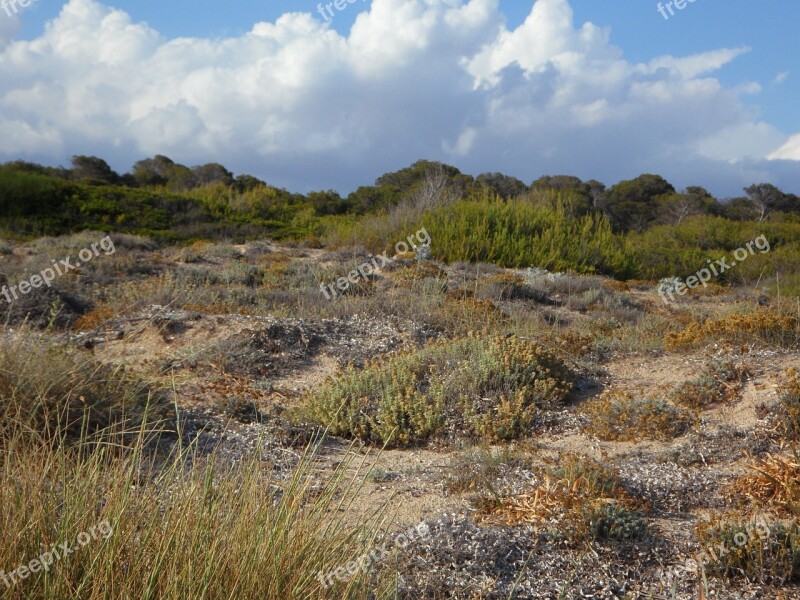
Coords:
309,99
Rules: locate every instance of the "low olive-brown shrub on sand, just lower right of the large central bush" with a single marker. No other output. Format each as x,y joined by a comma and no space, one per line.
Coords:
627,417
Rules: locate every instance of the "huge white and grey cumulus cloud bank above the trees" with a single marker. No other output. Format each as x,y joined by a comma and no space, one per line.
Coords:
298,103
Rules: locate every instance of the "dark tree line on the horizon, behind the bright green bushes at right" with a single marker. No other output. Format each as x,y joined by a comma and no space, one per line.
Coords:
159,193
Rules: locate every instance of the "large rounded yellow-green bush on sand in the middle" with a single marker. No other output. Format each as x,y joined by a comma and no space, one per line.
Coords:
487,388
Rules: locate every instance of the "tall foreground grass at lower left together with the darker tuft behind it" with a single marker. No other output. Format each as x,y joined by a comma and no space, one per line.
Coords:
182,525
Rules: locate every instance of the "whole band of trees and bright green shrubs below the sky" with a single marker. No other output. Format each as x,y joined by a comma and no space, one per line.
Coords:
641,228
